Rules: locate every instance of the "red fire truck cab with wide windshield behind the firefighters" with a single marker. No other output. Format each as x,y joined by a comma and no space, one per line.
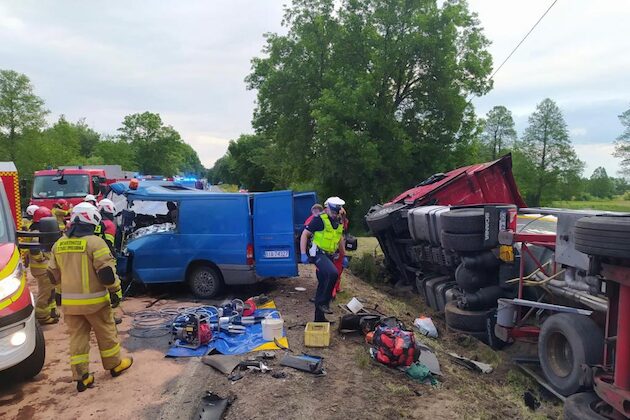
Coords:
70,184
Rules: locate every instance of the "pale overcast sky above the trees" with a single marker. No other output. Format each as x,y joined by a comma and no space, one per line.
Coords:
187,60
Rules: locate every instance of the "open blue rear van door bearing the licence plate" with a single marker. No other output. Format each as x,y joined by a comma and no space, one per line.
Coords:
274,236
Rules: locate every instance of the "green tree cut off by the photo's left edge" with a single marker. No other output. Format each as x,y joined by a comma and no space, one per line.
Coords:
20,108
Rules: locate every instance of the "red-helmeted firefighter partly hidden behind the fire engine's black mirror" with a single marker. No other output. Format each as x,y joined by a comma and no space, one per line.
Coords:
45,307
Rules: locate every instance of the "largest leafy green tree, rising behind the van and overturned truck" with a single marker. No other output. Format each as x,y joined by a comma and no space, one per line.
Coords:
364,97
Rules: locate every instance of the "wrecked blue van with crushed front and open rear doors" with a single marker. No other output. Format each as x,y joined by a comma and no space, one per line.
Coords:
210,239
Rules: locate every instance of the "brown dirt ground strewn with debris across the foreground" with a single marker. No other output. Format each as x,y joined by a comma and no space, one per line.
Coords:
355,387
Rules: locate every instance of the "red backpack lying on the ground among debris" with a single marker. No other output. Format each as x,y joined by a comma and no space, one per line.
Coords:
394,346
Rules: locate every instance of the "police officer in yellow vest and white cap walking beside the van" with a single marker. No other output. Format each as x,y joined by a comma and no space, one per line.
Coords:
327,235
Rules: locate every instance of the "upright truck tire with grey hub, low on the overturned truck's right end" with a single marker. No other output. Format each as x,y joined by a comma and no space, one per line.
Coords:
566,342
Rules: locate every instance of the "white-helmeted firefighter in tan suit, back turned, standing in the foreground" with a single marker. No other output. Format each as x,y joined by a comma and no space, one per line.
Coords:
83,264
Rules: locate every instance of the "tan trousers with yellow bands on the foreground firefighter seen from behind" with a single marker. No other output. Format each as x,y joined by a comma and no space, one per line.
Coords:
79,327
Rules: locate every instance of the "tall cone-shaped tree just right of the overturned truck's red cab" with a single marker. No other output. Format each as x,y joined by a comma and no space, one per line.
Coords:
547,145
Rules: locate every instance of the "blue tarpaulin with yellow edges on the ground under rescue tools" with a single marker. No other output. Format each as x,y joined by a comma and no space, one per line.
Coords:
232,344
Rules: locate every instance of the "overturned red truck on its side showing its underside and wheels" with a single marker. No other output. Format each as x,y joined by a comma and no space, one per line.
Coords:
500,271
